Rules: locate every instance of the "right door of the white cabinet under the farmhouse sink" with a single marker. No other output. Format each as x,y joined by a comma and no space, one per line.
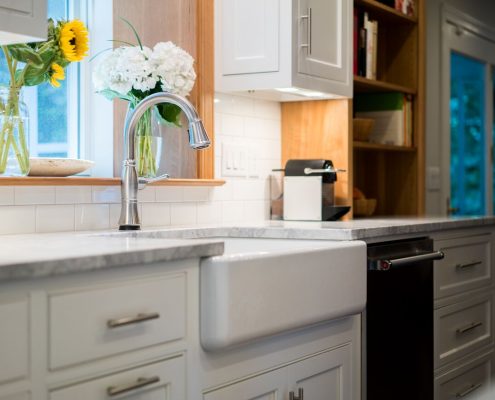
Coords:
323,376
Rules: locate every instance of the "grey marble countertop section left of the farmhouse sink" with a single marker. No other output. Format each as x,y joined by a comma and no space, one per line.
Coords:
41,255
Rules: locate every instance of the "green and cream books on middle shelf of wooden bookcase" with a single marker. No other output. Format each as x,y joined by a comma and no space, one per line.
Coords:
392,113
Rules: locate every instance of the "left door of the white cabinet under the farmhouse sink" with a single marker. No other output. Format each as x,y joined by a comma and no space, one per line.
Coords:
268,386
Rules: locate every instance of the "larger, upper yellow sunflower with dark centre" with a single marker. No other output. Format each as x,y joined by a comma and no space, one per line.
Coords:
74,40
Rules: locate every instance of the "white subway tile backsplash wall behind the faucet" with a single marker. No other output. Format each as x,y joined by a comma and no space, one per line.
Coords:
30,209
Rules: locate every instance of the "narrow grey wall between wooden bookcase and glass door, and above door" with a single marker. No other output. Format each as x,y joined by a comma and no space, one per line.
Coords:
482,10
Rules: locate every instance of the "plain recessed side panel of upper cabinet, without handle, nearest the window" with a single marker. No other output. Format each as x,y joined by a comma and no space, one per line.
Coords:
250,36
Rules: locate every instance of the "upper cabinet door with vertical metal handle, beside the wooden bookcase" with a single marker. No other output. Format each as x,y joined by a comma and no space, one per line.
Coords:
323,39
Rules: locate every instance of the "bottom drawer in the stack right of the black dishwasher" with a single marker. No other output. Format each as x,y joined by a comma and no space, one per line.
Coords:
467,381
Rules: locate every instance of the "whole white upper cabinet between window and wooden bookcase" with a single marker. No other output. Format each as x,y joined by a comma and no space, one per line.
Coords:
284,50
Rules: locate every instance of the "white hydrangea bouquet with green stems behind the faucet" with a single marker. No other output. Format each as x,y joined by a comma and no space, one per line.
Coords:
133,72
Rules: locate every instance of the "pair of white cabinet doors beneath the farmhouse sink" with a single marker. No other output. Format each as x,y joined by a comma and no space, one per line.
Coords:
322,376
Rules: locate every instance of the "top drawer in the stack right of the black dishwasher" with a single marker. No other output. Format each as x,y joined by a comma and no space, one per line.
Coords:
467,265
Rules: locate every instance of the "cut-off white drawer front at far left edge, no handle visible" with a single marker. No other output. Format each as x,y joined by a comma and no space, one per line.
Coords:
14,341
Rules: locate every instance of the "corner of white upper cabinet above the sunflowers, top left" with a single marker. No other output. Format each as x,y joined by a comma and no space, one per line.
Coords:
22,21
